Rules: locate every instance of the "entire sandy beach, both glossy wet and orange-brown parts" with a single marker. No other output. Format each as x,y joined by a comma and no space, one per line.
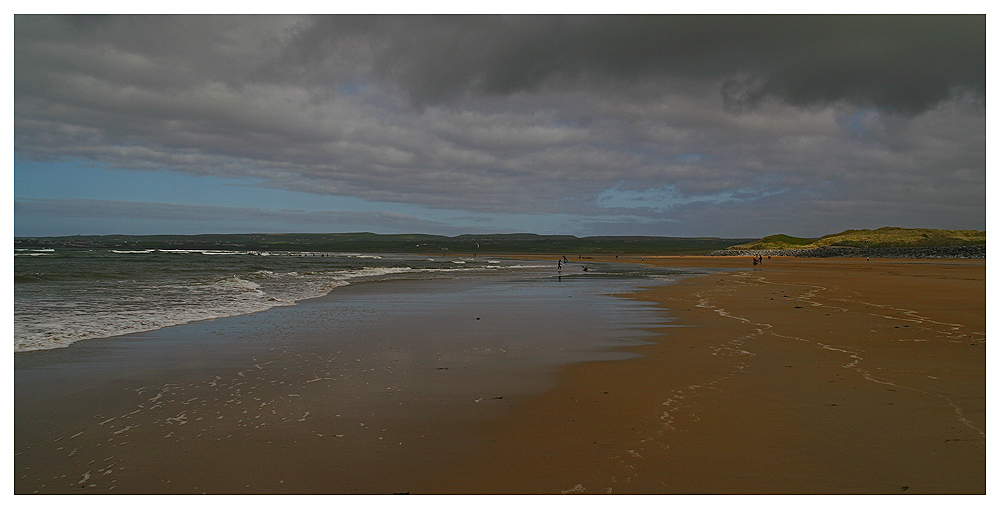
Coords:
801,376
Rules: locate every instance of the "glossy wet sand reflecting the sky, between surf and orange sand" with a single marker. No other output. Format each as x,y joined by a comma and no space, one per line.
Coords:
364,391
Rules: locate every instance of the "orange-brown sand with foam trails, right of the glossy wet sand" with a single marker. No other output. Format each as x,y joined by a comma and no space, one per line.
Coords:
802,376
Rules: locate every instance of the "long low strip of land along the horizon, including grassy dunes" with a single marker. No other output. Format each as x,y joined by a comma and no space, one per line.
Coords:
891,238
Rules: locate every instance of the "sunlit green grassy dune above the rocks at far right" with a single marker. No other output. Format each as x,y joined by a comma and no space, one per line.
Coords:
883,237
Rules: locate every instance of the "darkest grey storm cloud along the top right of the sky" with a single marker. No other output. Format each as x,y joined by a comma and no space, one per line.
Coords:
899,63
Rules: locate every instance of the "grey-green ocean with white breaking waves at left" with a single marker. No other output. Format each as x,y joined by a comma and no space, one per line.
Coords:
65,295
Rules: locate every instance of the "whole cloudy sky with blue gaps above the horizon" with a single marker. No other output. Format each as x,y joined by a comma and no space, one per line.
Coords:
729,126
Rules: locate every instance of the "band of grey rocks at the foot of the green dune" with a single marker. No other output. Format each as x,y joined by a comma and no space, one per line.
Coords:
859,252
